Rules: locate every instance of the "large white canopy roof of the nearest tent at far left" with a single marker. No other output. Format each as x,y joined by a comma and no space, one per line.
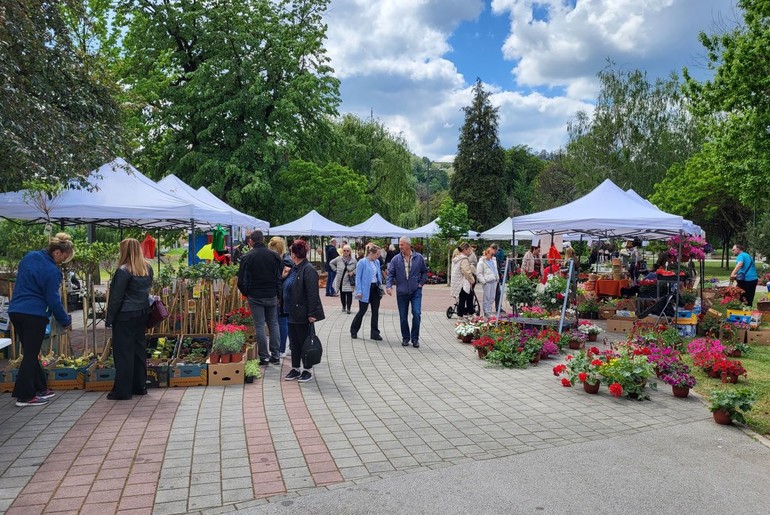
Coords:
121,197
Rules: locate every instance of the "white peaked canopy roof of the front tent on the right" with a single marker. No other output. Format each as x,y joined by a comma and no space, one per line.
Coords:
607,211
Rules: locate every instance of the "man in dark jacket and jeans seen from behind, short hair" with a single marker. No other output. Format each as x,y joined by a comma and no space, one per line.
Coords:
259,279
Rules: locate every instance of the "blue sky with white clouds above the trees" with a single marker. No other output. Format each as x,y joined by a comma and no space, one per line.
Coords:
412,63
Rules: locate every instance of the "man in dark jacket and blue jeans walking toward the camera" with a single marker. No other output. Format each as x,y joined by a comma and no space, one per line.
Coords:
407,270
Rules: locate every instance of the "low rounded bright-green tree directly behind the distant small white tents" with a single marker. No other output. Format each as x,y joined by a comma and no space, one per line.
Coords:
335,191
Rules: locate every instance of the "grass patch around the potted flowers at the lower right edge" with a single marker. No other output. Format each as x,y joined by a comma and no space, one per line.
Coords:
757,363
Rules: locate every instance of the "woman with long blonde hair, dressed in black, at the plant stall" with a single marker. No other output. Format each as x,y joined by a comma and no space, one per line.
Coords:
127,313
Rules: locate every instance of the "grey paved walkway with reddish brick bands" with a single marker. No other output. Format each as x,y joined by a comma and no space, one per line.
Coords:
375,412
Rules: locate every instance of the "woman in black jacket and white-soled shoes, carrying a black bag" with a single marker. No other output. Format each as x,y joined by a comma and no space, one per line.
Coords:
300,293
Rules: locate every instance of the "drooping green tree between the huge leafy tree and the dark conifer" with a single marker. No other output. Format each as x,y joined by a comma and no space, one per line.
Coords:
369,148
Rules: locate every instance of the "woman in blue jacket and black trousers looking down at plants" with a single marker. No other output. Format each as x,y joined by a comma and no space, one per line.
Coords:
36,296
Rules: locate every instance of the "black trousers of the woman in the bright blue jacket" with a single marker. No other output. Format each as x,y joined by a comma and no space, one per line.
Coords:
31,377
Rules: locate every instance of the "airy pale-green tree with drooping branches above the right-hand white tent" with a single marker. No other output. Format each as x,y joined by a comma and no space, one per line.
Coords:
637,131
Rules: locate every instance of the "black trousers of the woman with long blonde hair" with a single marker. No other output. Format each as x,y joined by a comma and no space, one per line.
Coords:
129,351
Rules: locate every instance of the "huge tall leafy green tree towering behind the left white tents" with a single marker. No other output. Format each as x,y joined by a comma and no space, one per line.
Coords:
226,93
